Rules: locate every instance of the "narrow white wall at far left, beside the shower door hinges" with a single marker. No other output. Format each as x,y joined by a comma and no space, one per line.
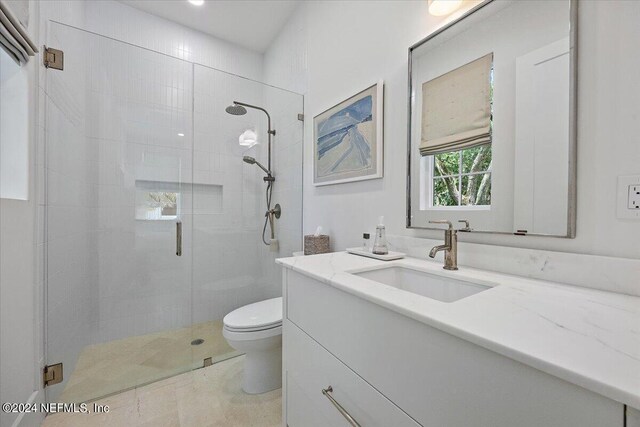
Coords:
20,288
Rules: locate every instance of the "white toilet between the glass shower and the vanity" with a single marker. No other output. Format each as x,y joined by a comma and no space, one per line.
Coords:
256,330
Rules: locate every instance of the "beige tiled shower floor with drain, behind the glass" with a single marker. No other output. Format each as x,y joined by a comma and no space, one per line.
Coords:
104,369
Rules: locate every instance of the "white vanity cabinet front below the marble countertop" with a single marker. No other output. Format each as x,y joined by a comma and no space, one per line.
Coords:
387,369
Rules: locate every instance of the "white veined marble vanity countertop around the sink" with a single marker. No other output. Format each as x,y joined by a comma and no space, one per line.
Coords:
587,337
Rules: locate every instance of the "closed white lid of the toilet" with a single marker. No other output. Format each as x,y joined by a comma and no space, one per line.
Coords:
261,314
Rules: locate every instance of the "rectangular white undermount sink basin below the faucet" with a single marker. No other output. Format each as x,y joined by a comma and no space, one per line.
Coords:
440,288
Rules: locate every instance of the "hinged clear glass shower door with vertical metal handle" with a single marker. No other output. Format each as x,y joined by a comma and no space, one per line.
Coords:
118,171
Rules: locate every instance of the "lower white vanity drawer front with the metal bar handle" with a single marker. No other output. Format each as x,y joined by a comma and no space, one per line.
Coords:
310,368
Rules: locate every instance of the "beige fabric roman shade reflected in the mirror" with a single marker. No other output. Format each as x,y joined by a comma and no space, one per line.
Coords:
456,108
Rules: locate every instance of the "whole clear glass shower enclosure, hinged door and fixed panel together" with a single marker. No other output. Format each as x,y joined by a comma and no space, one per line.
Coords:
152,220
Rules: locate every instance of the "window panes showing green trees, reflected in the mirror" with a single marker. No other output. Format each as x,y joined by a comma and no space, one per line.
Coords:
461,179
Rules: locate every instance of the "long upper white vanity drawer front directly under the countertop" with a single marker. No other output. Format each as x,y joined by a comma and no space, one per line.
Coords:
437,378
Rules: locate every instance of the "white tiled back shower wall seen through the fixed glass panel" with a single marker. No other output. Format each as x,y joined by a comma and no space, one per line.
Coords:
226,273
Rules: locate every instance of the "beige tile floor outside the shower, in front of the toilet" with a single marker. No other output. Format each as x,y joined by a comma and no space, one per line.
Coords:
205,397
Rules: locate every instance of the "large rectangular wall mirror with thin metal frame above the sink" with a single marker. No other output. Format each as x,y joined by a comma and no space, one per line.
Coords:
492,120
